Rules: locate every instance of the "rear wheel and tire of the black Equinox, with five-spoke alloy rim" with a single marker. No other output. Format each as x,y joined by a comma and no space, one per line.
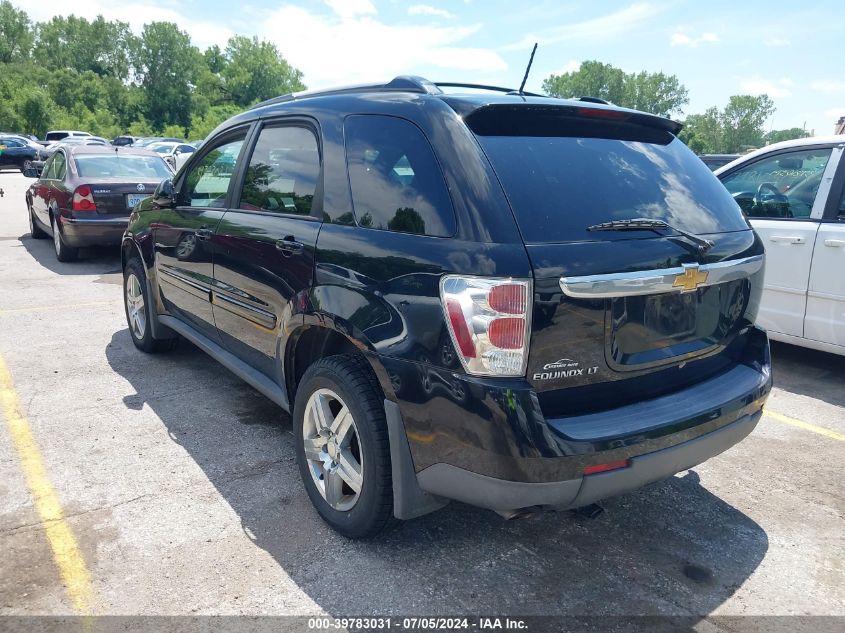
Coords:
339,416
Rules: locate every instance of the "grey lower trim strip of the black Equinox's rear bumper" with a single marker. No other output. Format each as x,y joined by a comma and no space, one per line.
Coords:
448,481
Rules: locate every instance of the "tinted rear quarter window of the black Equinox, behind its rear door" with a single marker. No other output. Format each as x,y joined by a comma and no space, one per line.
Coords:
396,182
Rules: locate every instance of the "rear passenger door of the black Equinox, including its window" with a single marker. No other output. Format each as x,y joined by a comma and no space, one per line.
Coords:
265,243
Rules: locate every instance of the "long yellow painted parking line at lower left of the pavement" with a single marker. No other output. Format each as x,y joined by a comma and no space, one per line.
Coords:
66,551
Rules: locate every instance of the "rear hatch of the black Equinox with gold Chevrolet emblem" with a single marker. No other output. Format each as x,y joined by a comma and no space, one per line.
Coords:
647,310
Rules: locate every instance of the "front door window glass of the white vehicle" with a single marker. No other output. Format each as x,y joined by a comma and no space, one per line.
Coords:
780,186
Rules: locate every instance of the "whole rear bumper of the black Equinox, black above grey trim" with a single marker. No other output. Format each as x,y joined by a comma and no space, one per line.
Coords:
487,442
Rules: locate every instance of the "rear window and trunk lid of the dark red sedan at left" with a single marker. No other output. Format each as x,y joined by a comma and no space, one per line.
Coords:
119,181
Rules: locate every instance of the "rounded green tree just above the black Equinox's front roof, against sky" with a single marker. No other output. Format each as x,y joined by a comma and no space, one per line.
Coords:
254,71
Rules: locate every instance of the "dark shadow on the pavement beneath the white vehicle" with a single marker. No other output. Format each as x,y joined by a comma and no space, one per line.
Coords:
807,372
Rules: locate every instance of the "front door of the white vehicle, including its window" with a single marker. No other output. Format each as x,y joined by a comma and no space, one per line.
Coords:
778,193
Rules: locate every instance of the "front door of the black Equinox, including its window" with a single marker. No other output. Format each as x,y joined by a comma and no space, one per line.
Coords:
184,234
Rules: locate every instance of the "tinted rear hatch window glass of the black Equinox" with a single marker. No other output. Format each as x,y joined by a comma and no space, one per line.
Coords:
560,184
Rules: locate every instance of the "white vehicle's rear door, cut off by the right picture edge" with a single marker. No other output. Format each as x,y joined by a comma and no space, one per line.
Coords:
825,321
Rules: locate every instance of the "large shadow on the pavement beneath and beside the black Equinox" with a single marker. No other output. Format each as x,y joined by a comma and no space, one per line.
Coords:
673,548
